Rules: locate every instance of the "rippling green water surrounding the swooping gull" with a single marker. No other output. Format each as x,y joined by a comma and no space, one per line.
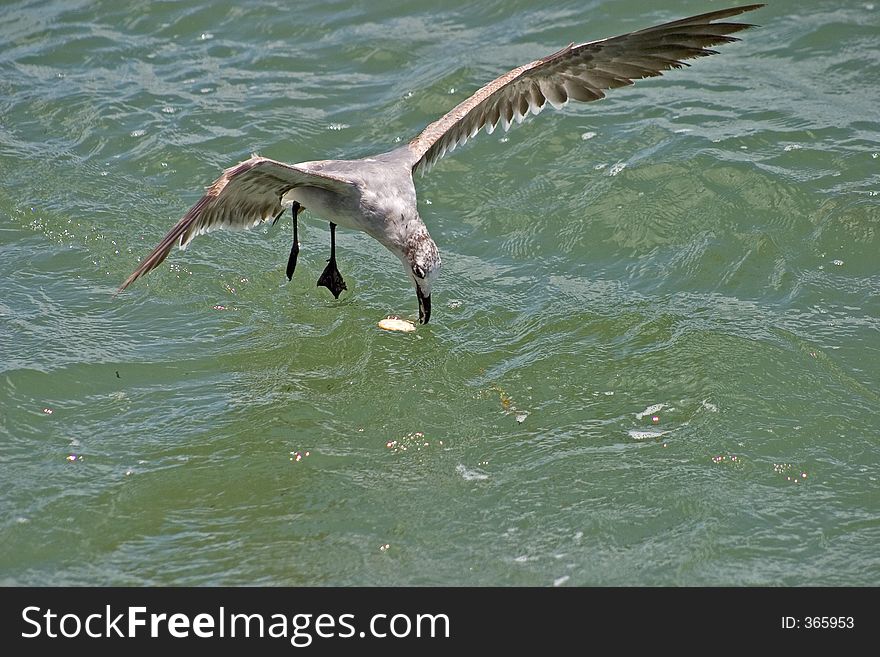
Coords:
701,247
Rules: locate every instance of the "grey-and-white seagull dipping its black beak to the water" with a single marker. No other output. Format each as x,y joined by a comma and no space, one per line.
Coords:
377,195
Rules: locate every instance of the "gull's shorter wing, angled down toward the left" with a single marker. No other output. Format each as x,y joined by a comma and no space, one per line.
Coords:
243,197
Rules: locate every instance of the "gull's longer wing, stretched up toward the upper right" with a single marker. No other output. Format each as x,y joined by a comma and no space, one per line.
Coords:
579,72
